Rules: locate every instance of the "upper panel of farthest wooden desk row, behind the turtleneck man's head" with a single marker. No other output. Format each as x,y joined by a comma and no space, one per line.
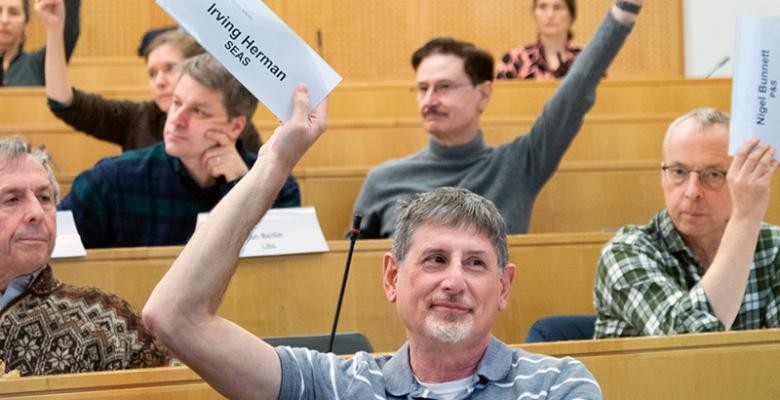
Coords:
396,100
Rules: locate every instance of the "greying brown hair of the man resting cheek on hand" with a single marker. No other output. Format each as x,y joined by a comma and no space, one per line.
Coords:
206,70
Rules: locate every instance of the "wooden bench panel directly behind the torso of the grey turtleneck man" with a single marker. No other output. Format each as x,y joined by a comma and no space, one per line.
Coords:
580,196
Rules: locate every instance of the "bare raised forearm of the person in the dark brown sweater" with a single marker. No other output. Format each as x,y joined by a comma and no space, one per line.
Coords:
57,84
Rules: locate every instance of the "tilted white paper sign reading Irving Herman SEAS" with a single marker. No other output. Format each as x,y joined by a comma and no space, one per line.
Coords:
258,48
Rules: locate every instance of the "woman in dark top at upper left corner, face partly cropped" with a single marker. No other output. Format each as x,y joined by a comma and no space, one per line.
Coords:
27,69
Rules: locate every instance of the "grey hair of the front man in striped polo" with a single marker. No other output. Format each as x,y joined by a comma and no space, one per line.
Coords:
453,207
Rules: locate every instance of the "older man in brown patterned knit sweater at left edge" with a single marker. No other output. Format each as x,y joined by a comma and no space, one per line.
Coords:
47,327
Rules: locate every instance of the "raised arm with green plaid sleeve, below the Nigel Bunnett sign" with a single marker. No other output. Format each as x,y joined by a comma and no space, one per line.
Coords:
637,284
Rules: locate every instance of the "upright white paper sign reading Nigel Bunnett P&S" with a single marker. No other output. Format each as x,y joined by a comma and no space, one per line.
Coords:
755,101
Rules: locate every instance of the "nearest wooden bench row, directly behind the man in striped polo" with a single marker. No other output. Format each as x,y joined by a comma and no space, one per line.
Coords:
730,365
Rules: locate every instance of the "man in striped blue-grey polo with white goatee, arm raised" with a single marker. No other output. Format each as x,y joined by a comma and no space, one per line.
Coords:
448,274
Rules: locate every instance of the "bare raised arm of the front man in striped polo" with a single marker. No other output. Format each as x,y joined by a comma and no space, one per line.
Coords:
182,308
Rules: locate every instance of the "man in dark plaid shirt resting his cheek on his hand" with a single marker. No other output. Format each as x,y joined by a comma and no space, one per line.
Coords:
152,196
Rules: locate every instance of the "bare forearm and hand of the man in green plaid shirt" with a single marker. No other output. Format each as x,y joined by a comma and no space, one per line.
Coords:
749,178
